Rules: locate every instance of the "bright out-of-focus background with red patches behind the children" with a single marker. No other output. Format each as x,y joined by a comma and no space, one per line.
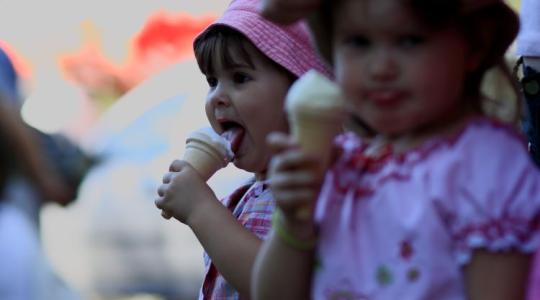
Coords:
119,80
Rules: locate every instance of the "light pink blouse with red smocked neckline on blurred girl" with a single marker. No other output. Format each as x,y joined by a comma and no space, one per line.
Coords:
402,226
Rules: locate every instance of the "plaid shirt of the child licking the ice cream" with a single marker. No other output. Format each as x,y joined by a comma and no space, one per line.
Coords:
252,205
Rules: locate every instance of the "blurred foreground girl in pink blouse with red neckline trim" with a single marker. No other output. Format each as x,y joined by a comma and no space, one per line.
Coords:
444,201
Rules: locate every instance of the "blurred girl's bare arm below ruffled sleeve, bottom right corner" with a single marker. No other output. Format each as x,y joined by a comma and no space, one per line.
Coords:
496,276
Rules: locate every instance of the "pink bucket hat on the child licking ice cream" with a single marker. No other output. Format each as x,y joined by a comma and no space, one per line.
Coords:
289,46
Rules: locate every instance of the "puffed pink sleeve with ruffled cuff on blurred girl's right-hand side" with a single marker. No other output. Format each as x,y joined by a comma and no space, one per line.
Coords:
490,195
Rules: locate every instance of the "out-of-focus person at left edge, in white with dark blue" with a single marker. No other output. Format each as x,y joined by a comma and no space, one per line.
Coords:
36,168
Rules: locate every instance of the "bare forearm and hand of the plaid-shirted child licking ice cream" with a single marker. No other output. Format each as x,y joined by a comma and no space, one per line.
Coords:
186,197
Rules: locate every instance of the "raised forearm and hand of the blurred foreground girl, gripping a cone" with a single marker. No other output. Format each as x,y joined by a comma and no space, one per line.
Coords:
281,271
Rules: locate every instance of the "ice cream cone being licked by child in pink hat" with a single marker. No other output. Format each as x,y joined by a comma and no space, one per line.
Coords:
206,152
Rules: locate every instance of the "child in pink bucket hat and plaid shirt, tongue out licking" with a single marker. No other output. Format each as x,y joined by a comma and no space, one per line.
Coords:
249,64
